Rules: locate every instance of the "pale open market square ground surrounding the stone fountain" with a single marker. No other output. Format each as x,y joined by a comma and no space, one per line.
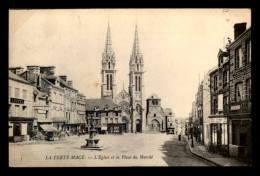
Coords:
122,150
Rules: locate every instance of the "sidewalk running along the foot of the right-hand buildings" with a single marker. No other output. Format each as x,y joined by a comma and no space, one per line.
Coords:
219,160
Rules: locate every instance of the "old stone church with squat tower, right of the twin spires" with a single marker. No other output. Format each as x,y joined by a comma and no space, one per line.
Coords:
156,118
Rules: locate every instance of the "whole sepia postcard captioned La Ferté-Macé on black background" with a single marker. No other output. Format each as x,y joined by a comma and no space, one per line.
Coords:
129,87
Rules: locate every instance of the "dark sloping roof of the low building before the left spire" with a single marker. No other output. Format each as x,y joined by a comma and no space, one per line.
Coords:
100,103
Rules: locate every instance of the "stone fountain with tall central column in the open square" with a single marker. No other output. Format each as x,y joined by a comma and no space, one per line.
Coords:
92,141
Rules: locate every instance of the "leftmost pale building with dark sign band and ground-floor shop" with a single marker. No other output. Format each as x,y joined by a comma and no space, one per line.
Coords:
20,108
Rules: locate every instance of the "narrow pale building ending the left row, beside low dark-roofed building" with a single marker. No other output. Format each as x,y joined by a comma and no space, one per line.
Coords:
81,112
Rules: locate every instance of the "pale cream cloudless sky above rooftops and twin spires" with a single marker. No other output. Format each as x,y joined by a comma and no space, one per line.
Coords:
179,46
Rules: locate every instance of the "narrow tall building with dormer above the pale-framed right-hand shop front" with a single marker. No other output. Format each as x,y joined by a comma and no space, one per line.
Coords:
219,89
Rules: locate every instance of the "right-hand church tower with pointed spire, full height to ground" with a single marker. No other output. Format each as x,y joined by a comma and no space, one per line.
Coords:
136,88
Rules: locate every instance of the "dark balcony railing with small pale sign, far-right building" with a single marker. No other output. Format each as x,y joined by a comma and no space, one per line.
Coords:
241,107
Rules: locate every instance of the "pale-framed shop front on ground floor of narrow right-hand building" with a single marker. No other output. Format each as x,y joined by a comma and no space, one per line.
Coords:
219,135
